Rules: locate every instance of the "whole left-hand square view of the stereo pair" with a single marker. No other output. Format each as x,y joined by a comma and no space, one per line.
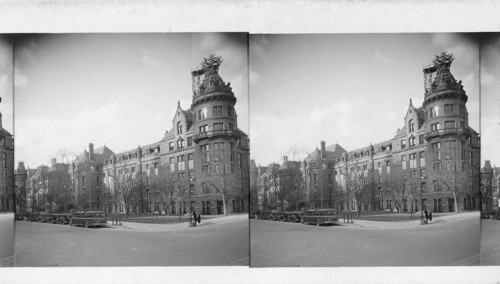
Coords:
131,149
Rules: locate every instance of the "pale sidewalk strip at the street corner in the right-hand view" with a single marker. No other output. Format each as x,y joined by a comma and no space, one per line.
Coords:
412,224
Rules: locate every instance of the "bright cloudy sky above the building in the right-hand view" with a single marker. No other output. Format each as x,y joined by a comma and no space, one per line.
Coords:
350,89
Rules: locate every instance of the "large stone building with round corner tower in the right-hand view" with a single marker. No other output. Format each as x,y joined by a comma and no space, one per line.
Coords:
431,163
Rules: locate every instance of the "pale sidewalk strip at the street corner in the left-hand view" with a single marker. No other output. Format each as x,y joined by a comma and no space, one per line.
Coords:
148,227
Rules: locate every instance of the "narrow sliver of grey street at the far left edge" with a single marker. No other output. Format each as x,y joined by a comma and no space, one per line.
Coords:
6,239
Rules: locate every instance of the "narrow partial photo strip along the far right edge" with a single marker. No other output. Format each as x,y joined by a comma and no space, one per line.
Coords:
490,150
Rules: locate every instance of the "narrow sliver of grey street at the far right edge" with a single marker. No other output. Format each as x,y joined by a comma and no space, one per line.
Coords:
490,242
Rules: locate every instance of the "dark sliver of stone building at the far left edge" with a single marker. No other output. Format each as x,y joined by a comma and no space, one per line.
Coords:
6,169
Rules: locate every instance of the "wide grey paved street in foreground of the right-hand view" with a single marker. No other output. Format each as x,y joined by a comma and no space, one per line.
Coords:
449,241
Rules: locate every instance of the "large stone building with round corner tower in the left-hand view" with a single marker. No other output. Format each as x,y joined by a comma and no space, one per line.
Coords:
202,160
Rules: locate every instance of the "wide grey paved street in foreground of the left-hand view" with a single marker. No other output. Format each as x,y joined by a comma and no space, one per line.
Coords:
222,243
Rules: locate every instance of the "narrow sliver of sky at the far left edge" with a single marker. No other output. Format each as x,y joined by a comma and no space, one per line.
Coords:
6,83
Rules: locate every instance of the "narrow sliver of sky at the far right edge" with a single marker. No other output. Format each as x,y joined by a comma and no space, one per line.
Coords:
490,99
